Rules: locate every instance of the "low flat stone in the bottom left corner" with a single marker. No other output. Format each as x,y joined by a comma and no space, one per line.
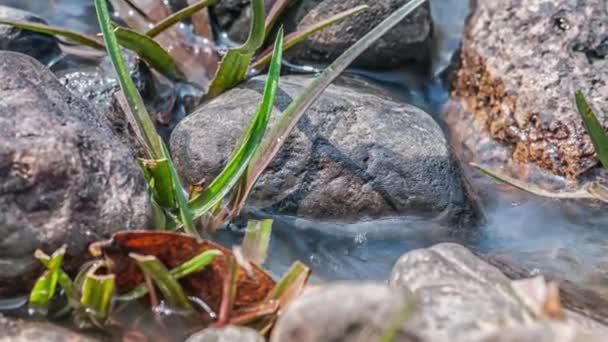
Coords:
17,330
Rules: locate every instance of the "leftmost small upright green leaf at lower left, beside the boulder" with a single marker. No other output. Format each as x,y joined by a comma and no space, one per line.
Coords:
45,287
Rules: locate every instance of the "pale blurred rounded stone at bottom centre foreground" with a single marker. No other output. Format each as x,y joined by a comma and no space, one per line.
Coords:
351,312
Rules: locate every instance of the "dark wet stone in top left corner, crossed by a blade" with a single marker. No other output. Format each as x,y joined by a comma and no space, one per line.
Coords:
40,46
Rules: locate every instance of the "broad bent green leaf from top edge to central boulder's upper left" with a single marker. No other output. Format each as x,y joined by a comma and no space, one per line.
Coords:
235,64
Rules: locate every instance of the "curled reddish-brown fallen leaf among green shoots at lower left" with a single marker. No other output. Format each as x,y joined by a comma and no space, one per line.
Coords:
173,249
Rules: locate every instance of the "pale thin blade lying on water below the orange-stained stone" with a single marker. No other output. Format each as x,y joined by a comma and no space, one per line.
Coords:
592,191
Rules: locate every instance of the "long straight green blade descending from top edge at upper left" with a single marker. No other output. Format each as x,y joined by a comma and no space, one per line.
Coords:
141,116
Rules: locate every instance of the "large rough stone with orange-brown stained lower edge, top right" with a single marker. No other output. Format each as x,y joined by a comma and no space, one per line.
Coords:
520,64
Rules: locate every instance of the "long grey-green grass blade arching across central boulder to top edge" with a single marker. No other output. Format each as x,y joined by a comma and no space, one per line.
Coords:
277,137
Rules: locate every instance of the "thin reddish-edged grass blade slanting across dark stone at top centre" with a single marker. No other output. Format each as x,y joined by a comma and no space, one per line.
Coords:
296,37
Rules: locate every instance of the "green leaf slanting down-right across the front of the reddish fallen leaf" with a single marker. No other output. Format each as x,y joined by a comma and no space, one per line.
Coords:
172,291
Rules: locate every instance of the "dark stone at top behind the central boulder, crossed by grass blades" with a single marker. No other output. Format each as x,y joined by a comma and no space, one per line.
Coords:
407,42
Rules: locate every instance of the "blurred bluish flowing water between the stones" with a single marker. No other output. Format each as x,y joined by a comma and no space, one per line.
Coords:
565,239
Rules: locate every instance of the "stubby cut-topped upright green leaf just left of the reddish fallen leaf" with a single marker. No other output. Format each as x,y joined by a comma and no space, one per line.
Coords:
97,293
